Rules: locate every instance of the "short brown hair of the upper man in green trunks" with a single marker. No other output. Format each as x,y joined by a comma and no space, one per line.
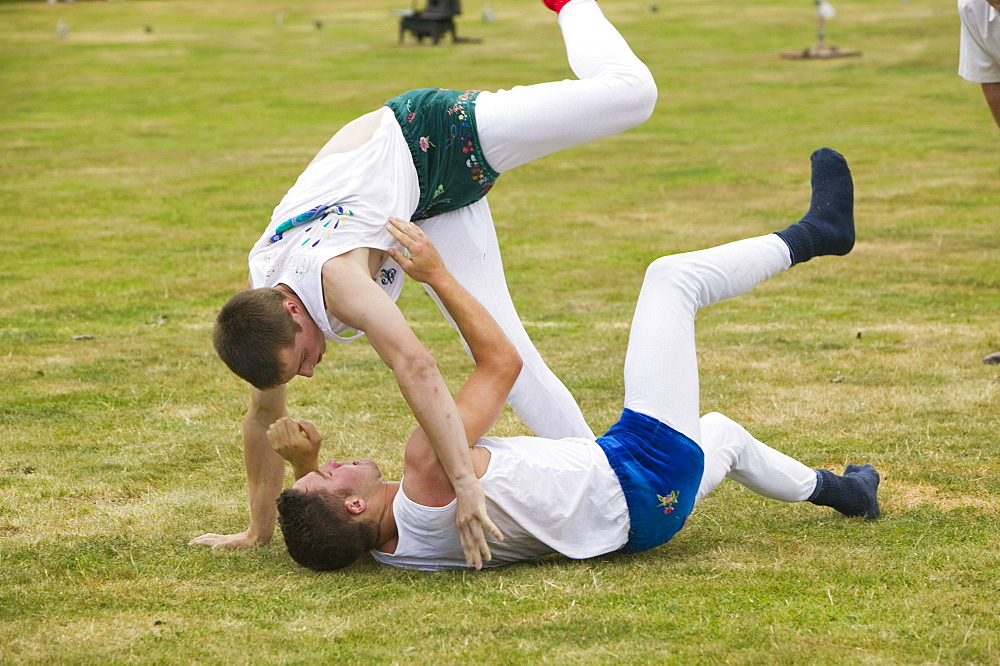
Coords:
250,332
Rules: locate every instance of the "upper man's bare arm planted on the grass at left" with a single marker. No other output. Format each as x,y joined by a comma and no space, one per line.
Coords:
265,472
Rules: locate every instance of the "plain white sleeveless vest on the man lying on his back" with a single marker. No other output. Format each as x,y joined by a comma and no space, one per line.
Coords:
545,496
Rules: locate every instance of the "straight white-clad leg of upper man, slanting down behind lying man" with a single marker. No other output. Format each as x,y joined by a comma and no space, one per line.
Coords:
467,241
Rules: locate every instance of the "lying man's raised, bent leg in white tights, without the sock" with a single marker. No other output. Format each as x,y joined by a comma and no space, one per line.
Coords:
661,366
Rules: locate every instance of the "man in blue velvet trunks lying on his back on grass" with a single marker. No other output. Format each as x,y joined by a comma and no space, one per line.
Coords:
630,490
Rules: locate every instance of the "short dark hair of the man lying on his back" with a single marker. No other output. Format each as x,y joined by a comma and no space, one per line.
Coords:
320,533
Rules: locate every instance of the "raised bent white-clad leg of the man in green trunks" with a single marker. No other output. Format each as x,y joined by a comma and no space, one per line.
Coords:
614,92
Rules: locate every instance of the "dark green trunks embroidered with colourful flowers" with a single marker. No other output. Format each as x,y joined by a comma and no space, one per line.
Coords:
440,128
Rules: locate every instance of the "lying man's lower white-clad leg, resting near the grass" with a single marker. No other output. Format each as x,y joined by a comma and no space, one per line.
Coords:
732,452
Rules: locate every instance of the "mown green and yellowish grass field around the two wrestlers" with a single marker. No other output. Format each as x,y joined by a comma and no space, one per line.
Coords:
141,155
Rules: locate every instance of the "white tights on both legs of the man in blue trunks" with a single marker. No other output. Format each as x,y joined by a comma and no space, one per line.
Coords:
661,367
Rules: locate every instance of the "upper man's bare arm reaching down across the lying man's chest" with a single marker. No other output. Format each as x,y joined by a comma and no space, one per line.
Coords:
358,302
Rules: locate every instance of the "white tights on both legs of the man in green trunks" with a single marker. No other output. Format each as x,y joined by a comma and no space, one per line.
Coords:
614,92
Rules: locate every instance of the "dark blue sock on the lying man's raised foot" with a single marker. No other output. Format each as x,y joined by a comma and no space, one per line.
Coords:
828,227
